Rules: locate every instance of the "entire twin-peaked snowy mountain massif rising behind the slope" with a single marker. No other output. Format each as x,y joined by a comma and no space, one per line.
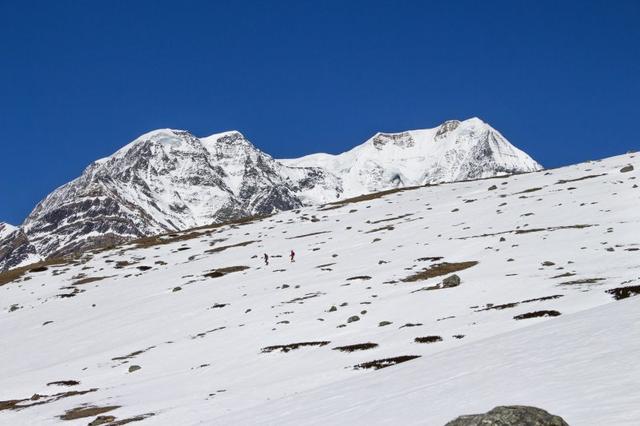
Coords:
169,180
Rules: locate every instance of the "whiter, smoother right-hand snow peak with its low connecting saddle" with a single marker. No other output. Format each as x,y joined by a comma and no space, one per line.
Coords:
454,151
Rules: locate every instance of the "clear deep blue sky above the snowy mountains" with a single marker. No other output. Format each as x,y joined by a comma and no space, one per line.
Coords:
79,79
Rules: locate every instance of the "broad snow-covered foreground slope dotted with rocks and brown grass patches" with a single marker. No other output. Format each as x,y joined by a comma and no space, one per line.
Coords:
202,316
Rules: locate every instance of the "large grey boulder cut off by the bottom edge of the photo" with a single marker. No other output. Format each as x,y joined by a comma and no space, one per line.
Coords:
514,415
